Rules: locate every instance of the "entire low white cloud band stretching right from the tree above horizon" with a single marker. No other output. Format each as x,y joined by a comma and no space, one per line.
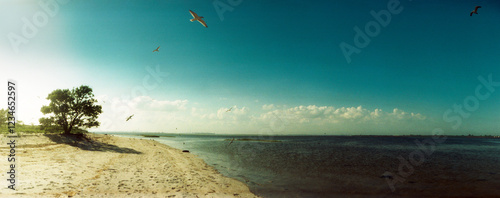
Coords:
269,119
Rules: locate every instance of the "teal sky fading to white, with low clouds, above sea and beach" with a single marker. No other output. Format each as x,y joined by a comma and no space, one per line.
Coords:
281,66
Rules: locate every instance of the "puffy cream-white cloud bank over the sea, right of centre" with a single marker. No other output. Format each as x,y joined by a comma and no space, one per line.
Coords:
342,120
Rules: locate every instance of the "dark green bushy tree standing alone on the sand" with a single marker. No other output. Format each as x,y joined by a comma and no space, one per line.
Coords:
71,110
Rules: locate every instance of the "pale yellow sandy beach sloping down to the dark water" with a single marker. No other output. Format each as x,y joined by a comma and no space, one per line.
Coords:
109,166
